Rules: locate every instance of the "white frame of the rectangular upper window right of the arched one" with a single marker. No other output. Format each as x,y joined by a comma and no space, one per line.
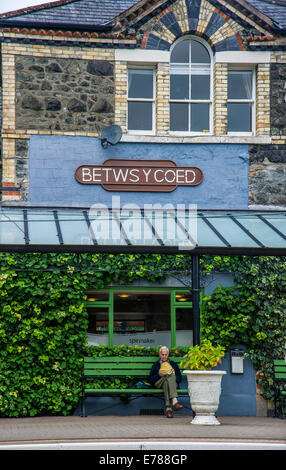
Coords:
252,100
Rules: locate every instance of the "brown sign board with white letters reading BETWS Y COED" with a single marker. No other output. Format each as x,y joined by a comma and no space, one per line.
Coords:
139,175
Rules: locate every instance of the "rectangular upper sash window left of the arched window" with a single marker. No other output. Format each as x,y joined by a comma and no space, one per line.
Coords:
141,100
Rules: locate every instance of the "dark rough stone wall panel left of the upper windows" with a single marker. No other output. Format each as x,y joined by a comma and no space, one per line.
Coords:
64,94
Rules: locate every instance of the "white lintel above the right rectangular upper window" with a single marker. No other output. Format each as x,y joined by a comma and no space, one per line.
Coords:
242,57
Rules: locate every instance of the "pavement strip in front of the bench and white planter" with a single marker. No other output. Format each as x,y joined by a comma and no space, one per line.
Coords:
141,432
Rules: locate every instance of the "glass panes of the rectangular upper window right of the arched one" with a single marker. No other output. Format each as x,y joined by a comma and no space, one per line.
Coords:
240,107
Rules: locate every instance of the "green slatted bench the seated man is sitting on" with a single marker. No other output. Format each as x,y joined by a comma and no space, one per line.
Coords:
114,366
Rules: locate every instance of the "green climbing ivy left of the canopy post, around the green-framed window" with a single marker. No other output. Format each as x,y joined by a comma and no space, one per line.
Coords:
43,323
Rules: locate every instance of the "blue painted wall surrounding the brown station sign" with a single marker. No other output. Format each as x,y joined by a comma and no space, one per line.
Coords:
54,159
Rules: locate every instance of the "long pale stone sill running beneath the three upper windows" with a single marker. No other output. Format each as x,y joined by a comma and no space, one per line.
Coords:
206,139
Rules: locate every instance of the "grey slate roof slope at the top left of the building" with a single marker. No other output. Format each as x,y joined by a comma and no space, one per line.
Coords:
89,12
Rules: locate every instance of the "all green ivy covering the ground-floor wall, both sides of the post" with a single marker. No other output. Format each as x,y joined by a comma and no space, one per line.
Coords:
43,319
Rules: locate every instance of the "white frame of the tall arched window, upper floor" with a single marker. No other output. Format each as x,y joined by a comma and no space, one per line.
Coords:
183,68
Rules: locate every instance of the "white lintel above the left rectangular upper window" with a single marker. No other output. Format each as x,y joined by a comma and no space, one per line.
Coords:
142,55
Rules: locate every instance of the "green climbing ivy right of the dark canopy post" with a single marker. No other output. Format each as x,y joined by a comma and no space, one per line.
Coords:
252,313
